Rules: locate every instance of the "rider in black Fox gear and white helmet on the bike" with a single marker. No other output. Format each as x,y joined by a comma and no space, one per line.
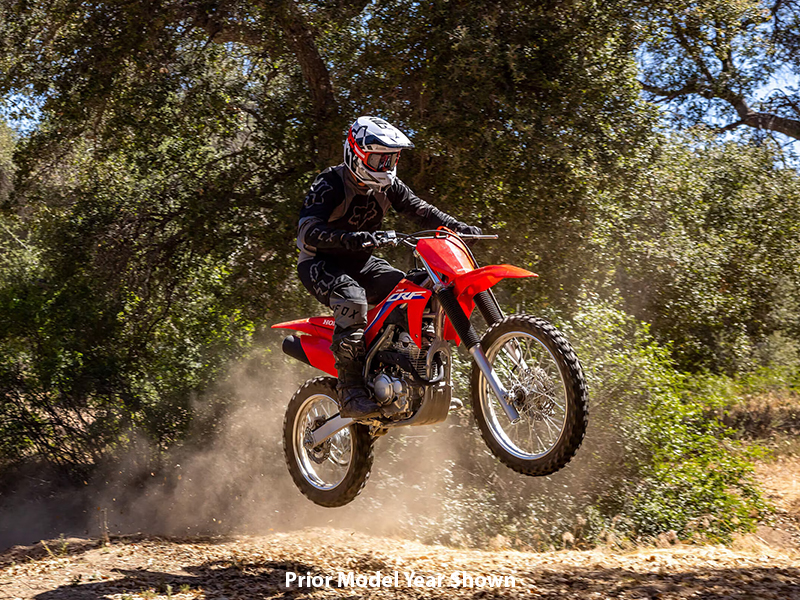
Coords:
337,232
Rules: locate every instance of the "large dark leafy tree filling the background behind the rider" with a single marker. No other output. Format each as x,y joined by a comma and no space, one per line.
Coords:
161,186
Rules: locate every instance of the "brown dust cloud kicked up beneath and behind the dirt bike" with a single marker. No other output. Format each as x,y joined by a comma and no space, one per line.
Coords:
433,483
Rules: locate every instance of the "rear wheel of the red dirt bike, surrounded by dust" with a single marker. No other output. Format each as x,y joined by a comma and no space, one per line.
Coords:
335,472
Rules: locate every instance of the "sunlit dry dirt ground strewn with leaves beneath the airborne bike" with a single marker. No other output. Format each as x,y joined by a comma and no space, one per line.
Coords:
759,566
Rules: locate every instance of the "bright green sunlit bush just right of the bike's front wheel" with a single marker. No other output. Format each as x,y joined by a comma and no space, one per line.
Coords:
685,469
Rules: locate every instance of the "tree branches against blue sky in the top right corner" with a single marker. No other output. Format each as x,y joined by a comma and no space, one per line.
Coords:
712,59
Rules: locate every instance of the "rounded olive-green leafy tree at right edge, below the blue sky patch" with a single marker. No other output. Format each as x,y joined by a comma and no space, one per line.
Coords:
707,251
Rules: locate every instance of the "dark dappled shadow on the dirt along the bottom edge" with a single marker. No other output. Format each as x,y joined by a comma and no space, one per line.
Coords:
267,580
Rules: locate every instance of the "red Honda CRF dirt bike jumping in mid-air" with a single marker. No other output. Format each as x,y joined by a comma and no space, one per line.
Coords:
528,391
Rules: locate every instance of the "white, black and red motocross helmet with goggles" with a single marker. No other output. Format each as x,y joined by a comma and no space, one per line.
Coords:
371,151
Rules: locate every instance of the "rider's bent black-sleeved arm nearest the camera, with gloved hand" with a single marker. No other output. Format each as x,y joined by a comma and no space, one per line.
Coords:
313,231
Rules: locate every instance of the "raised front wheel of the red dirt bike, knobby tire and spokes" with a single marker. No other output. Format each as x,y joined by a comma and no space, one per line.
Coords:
539,369
